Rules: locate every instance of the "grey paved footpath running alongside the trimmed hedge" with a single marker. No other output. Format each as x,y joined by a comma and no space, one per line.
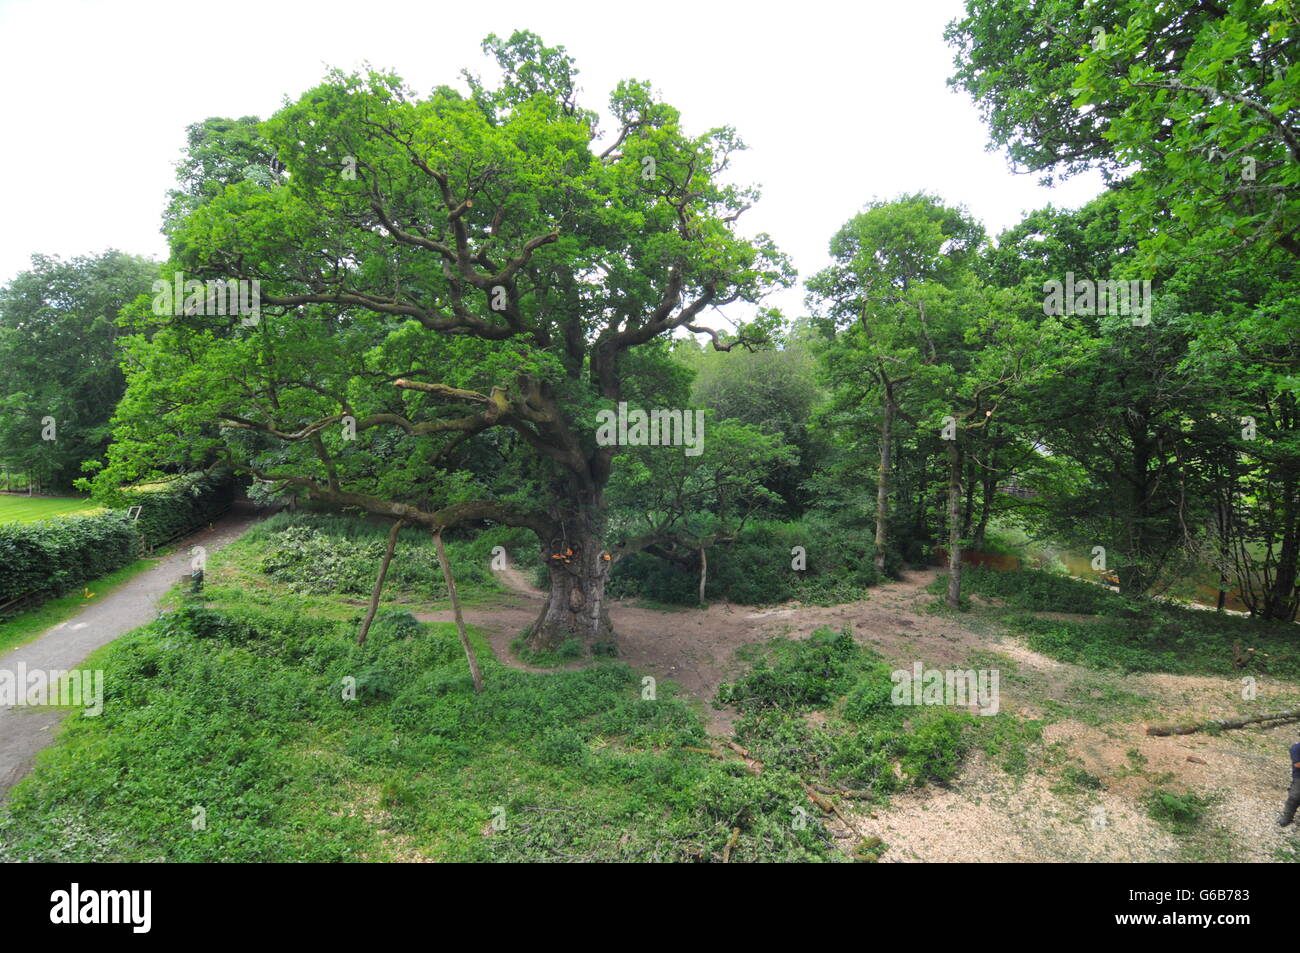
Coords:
24,731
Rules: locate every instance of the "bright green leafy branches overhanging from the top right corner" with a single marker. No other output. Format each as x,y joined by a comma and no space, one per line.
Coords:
1195,105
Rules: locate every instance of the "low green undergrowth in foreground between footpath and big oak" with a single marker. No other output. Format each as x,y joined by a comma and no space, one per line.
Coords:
240,711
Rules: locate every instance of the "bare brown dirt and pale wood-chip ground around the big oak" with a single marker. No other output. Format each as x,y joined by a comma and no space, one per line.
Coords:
1097,726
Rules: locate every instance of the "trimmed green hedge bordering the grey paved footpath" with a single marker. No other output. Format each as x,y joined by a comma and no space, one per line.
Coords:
50,558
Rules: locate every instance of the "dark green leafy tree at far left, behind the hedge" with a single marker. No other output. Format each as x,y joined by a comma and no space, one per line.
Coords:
59,362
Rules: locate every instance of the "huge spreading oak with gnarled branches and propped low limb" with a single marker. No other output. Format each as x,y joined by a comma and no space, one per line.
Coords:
461,283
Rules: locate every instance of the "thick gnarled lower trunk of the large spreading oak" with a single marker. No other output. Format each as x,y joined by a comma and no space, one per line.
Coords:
579,568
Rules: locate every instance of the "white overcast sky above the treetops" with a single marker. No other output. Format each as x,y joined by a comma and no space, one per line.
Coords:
840,103
